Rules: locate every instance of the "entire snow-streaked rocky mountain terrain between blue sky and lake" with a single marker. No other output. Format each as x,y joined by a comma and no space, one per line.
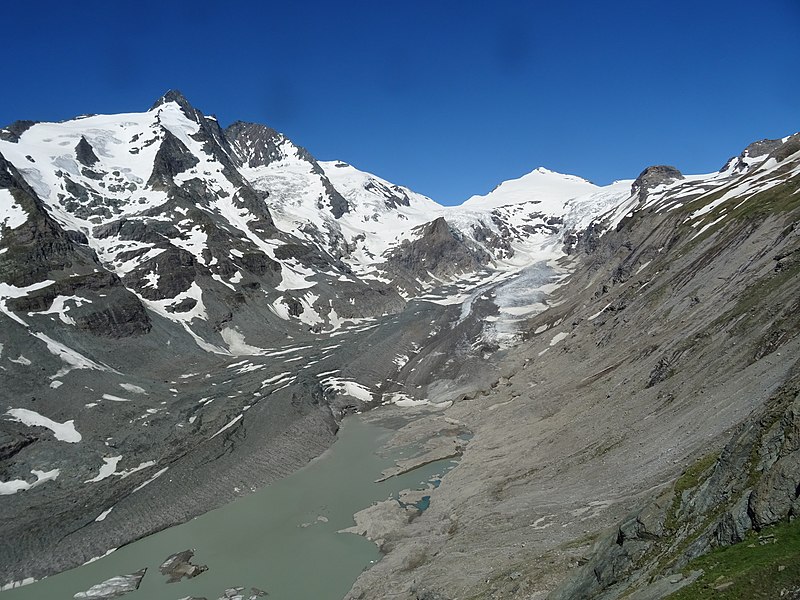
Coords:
189,310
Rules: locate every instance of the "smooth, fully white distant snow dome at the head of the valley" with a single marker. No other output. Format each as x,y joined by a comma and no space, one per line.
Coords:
542,185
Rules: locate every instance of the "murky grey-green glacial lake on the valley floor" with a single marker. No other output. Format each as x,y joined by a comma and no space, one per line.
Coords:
281,539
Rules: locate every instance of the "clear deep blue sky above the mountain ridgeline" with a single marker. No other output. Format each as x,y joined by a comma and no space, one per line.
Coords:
446,97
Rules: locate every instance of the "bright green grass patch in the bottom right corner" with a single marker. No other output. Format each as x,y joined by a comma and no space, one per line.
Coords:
762,566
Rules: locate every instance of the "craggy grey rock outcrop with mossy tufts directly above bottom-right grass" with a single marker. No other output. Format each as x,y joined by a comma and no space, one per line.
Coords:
718,509
